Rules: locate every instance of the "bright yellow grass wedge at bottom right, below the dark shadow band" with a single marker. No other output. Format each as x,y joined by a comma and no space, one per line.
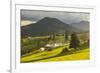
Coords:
81,55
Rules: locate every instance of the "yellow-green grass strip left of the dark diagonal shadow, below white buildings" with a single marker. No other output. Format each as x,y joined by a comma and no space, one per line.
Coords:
42,55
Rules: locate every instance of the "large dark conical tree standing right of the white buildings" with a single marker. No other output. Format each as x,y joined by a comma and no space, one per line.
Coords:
74,43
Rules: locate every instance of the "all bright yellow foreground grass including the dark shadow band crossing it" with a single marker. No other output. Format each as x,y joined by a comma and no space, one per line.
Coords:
56,55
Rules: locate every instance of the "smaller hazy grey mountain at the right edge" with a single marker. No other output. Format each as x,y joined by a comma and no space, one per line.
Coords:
83,25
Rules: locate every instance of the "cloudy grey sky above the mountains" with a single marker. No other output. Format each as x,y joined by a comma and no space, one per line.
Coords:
32,16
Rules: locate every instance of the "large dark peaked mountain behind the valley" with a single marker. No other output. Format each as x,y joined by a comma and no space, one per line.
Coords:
47,26
